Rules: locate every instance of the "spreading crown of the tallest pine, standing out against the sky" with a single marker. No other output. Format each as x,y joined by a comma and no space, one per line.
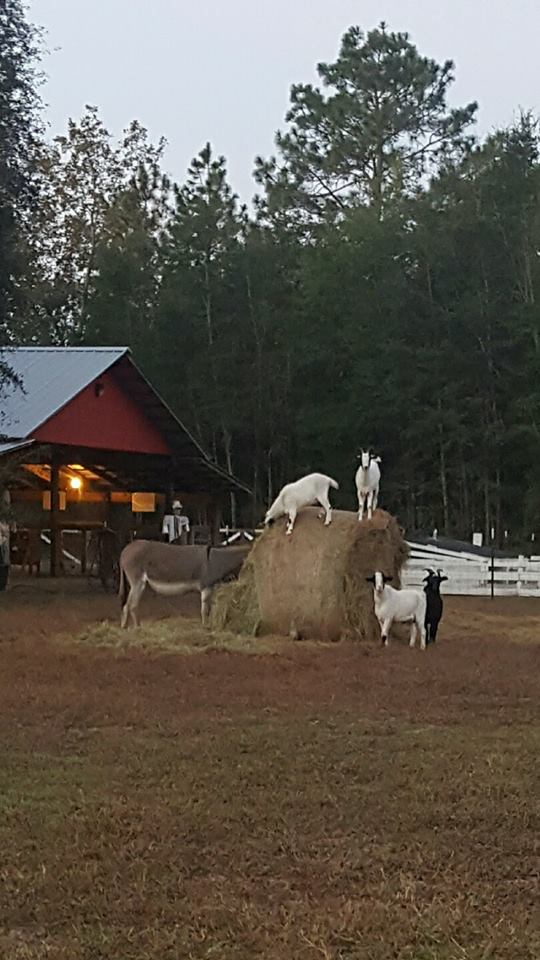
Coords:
382,126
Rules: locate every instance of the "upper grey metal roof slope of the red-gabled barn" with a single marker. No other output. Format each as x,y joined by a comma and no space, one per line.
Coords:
49,378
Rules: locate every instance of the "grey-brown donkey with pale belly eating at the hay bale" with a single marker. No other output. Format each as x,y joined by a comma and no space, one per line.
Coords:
174,570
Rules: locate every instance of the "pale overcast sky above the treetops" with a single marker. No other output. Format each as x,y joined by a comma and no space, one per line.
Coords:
220,70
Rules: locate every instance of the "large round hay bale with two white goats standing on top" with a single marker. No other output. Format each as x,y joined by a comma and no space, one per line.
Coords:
312,585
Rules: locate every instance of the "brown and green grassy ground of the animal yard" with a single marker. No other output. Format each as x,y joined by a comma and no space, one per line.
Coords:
334,802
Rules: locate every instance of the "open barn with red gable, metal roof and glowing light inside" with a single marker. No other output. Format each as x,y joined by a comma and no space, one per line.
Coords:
86,442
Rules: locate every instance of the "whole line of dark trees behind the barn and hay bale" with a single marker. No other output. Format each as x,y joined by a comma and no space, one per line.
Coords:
381,290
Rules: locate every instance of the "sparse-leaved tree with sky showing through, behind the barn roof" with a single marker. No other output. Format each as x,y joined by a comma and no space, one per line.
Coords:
82,176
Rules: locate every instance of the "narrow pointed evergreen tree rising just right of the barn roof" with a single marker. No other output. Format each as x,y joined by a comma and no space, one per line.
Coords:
198,310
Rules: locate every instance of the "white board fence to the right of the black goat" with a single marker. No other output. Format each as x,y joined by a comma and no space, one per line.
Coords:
474,575
